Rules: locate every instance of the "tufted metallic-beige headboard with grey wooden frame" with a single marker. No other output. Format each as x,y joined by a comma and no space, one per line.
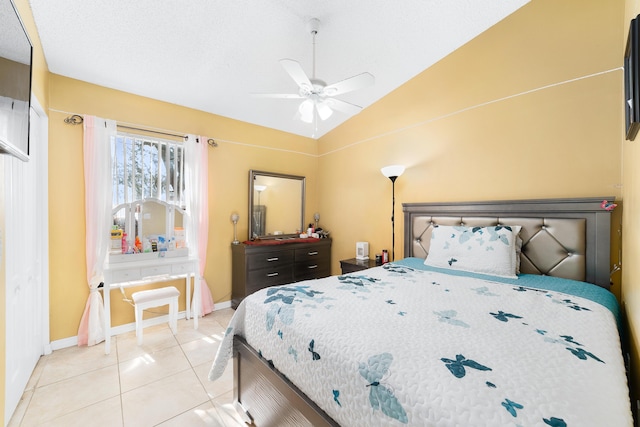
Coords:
567,238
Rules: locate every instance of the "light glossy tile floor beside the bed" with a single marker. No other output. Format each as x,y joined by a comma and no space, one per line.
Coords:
160,383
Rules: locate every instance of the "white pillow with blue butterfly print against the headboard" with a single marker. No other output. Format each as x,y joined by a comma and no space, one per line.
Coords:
486,250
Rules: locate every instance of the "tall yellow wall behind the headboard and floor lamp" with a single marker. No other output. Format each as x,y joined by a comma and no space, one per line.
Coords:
532,108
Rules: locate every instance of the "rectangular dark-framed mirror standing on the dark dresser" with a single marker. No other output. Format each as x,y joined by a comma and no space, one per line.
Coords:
276,205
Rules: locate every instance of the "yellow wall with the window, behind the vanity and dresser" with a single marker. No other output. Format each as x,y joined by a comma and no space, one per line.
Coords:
241,147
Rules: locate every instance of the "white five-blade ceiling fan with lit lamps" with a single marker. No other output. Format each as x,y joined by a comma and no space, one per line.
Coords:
318,97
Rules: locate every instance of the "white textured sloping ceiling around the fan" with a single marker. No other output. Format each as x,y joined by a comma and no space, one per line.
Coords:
211,55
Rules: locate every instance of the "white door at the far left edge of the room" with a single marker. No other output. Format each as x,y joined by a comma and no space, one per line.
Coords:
26,261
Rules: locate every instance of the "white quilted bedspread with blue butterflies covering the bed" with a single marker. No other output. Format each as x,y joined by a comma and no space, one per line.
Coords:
404,344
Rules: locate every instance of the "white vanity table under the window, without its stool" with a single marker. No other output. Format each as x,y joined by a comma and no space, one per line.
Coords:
145,268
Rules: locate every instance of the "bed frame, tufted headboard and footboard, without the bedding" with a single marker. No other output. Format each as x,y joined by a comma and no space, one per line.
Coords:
561,237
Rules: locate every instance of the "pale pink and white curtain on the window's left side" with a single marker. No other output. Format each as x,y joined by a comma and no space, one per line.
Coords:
97,193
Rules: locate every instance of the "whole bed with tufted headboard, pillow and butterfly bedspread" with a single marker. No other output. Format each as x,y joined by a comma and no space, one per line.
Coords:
529,338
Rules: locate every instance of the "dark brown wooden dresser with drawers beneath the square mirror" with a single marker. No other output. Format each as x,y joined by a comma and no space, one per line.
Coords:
257,266
